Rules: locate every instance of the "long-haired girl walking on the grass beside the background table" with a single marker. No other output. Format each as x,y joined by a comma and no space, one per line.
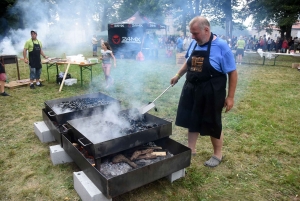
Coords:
107,55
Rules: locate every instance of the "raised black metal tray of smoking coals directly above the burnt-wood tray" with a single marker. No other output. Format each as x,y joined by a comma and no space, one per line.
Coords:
99,144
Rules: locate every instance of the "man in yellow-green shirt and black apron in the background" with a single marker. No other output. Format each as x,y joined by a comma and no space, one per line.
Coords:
34,48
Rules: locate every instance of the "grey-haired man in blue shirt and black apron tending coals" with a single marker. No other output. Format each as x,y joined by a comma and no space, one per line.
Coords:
209,60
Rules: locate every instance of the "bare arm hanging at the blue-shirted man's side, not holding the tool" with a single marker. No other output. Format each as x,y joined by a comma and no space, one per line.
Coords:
229,101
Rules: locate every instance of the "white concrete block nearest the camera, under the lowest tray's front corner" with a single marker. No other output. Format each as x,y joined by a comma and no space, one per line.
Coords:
86,189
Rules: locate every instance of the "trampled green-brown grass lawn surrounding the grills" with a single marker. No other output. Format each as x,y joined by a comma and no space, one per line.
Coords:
261,146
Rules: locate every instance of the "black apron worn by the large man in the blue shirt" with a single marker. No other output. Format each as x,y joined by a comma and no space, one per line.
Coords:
203,96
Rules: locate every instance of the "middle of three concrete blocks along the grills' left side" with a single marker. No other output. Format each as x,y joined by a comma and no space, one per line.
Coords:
58,155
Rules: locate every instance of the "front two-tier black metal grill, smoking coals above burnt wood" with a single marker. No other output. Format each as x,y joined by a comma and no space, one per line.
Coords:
87,133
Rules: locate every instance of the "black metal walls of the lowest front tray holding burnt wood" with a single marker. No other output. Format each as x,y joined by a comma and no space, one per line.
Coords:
126,182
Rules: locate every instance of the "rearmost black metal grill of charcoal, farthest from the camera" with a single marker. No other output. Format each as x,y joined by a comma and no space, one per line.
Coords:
58,111
